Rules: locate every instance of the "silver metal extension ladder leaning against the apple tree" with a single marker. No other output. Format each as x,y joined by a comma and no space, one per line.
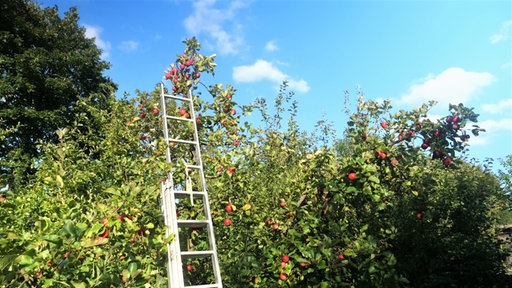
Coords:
185,203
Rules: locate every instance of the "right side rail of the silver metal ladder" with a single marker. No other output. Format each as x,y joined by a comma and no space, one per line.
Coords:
211,234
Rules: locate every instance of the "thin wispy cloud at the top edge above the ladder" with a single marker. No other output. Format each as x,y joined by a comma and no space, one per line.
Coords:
210,20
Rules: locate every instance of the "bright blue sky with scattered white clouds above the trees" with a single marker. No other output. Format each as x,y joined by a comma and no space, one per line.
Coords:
406,51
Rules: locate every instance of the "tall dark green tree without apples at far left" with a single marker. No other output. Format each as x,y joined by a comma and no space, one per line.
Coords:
46,65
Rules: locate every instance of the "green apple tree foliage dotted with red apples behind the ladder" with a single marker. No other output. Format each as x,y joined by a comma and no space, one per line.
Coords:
391,205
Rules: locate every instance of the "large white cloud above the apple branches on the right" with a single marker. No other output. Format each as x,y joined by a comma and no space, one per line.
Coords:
453,85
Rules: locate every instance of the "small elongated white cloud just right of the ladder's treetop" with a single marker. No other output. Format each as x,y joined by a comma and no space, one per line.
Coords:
263,70
